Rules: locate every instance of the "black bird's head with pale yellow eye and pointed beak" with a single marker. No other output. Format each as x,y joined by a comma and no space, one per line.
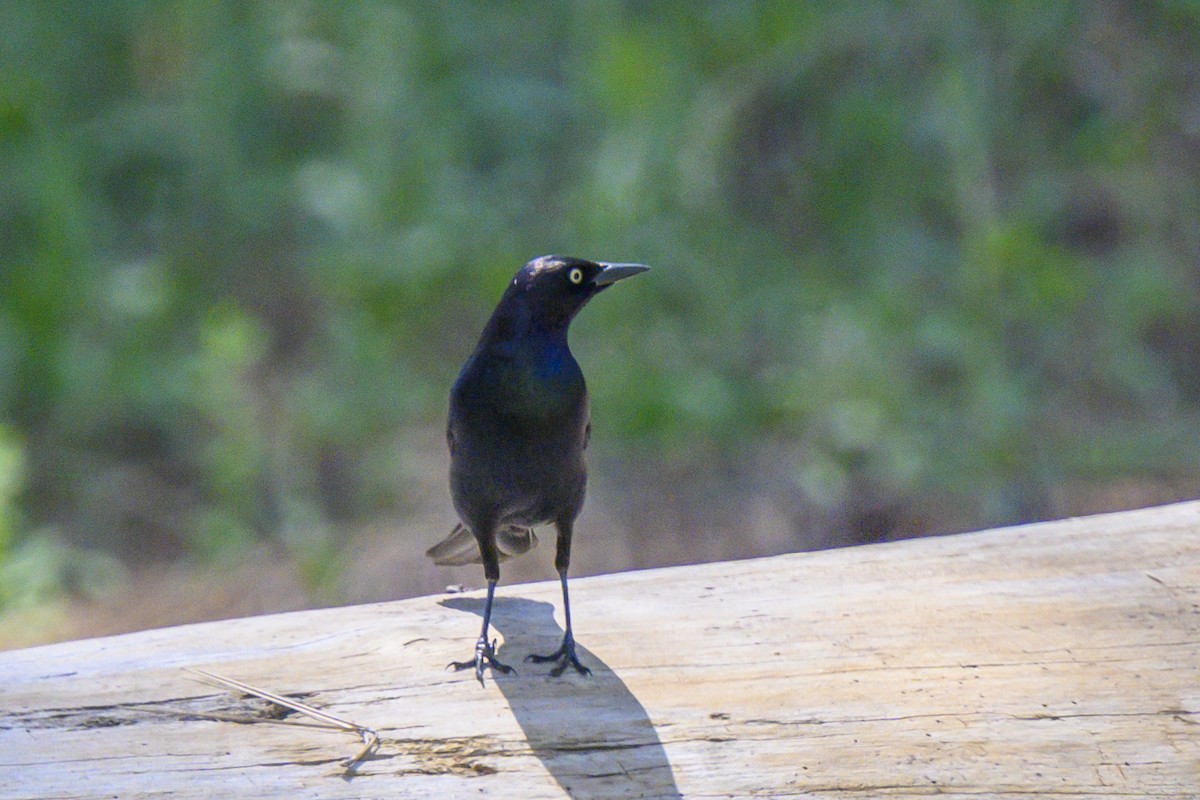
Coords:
548,292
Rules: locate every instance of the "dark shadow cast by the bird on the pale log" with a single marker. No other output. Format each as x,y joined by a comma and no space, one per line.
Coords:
590,731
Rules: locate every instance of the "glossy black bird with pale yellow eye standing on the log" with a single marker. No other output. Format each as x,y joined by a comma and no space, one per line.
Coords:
519,425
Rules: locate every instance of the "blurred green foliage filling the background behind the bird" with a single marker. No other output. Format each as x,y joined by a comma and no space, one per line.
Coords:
939,251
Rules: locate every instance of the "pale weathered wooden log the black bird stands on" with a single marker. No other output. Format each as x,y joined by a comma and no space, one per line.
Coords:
1060,659
